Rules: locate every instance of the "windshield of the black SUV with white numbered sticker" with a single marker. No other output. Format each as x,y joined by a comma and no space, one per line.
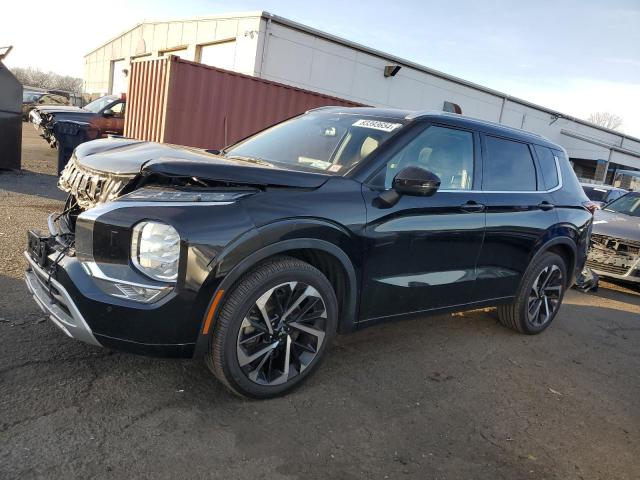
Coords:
328,142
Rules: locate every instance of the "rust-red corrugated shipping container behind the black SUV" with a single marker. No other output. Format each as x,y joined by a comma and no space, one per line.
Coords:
186,103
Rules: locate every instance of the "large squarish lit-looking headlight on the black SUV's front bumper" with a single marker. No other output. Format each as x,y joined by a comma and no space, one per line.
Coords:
155,250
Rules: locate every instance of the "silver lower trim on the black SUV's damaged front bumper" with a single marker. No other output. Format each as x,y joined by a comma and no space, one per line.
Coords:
54,300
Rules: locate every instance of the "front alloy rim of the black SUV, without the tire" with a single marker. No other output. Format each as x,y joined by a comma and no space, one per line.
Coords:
282,333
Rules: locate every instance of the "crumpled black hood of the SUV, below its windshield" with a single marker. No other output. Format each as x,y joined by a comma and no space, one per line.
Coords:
129,157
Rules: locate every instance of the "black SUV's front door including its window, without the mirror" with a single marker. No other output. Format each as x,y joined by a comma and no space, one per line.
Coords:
421,253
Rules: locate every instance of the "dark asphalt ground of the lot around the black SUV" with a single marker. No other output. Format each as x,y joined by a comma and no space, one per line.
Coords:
445,397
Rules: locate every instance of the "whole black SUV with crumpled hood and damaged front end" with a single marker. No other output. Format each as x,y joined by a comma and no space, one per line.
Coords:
255,256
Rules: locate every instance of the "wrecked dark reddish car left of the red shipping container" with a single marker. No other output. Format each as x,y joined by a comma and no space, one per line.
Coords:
105,115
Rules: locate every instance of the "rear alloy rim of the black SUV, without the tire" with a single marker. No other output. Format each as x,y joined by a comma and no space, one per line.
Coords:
545,295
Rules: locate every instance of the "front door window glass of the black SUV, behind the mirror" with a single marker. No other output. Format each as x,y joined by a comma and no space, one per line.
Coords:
447,152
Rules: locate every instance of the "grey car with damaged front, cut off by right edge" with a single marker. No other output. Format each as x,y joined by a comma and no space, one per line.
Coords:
615,243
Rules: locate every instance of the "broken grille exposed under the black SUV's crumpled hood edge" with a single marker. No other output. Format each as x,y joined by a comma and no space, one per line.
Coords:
91,188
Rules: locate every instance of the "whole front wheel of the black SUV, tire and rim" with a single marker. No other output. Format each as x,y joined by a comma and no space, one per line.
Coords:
273,329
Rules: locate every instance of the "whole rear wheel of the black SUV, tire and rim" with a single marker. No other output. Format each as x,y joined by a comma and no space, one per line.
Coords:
539,297
